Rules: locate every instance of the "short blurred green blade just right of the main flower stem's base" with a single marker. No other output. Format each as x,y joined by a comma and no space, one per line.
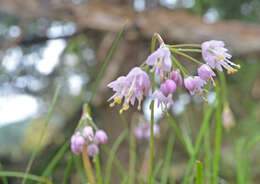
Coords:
167,162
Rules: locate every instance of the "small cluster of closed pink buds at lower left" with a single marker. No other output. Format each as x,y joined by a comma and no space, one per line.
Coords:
88,137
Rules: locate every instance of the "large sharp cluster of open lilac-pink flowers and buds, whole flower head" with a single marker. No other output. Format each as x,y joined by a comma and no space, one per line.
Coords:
136,84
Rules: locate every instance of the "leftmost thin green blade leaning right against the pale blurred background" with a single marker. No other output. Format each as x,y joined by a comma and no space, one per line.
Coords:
36,149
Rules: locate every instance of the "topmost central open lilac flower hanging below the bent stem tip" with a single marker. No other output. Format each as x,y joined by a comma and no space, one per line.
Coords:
160,60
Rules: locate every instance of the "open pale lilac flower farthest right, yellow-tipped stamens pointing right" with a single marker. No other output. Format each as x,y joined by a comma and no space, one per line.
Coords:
216,56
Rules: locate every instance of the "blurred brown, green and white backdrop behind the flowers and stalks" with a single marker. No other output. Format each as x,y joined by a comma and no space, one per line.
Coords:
47,43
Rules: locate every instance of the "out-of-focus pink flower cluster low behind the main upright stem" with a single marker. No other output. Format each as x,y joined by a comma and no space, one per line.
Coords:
143,130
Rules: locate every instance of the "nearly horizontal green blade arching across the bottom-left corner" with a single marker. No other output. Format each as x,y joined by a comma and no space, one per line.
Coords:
12,174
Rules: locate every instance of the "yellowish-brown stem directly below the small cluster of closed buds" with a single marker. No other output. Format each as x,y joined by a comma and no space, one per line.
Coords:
87,166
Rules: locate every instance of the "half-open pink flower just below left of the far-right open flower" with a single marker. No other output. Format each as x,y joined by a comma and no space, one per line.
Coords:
194,84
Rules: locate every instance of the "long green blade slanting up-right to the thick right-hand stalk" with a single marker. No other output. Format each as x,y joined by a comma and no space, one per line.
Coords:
202,131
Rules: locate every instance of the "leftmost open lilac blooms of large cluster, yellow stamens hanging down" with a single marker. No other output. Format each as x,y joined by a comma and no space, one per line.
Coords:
131,87
